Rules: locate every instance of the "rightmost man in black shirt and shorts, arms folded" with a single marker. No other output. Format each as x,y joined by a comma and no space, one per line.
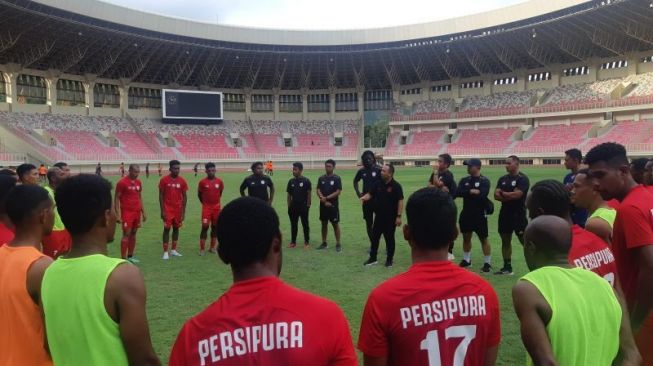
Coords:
511,191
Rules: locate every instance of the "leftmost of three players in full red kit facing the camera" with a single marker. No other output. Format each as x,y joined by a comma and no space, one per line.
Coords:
129,208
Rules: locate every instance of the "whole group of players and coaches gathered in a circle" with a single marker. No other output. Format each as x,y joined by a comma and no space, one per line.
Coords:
587,300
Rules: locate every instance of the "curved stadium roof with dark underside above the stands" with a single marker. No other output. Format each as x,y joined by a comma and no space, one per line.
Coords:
96,38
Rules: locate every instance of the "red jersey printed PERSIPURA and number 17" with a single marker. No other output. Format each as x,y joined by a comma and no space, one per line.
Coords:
430,315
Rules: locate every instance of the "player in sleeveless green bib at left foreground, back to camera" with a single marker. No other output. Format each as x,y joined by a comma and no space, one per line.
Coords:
94,305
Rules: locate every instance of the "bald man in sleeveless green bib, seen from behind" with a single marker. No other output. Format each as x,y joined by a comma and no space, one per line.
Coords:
589,327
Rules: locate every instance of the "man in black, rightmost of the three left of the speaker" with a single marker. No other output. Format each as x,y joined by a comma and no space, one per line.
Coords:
329,187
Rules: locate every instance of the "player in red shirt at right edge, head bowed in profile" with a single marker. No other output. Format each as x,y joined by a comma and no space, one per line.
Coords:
632,238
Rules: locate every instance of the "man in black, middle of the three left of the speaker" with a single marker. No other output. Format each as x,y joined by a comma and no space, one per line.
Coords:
299,202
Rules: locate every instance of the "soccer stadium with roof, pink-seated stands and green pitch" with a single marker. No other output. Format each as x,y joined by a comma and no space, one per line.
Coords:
95,84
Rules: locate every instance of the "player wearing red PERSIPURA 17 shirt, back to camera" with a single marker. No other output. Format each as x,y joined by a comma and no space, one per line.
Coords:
410,321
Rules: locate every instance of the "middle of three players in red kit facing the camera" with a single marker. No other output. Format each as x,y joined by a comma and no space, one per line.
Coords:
172,201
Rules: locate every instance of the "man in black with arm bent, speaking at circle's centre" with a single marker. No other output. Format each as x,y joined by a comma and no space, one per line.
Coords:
389,198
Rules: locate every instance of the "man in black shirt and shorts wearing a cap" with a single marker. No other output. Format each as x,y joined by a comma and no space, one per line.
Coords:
474,190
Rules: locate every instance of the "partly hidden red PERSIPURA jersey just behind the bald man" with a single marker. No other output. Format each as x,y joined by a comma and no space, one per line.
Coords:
592,253
